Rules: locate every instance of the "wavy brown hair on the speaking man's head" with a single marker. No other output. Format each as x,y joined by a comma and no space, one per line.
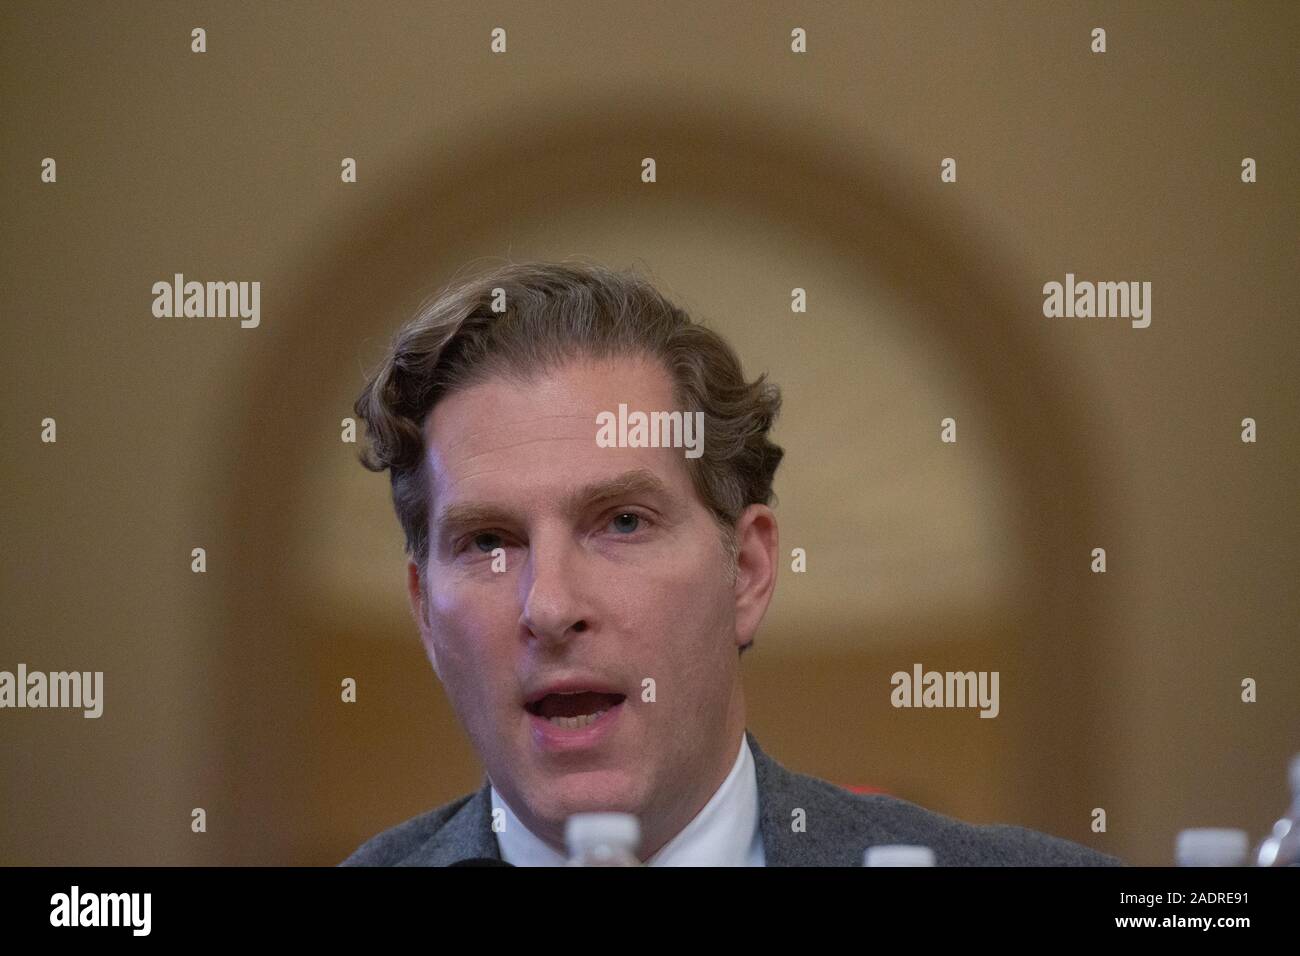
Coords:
522,318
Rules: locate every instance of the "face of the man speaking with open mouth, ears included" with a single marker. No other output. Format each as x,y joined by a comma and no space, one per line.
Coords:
616,577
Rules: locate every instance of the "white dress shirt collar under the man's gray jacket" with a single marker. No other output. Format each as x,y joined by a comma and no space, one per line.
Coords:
725,833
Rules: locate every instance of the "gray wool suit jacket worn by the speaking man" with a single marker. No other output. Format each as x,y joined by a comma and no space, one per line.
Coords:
840,825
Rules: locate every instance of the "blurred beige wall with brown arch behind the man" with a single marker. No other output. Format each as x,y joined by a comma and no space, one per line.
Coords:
1119,691
